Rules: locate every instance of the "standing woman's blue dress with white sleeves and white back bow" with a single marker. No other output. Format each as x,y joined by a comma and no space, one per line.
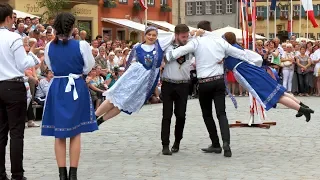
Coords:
68,107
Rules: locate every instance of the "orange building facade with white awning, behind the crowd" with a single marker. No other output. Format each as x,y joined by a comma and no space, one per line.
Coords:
116,16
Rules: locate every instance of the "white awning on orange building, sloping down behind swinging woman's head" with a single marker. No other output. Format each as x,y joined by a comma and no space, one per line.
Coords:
128,24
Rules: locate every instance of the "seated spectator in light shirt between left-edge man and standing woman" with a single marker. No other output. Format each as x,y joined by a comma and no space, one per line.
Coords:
43,88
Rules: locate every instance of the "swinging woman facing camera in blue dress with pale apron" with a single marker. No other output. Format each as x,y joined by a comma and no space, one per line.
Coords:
139,81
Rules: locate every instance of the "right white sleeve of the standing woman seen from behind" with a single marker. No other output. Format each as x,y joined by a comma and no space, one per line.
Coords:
87,56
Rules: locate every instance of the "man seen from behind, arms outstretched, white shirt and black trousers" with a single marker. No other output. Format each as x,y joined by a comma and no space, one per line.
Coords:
209,50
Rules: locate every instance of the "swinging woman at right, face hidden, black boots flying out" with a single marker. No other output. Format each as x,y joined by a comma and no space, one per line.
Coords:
260,84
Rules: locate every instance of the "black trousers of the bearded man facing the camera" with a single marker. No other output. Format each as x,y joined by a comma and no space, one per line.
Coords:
177,95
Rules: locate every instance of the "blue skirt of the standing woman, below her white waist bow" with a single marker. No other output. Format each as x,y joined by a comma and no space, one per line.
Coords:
65,117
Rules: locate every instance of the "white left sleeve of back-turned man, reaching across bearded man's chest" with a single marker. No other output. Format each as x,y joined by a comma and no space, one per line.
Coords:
190,47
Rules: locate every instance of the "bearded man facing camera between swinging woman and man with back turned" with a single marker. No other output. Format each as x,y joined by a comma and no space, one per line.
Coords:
175,90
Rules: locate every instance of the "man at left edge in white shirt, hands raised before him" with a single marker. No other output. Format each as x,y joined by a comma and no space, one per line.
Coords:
13,102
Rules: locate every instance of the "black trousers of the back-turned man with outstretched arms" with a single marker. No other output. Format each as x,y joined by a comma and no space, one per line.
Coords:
215,91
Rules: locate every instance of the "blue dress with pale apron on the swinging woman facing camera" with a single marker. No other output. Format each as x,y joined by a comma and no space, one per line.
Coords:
138,83
